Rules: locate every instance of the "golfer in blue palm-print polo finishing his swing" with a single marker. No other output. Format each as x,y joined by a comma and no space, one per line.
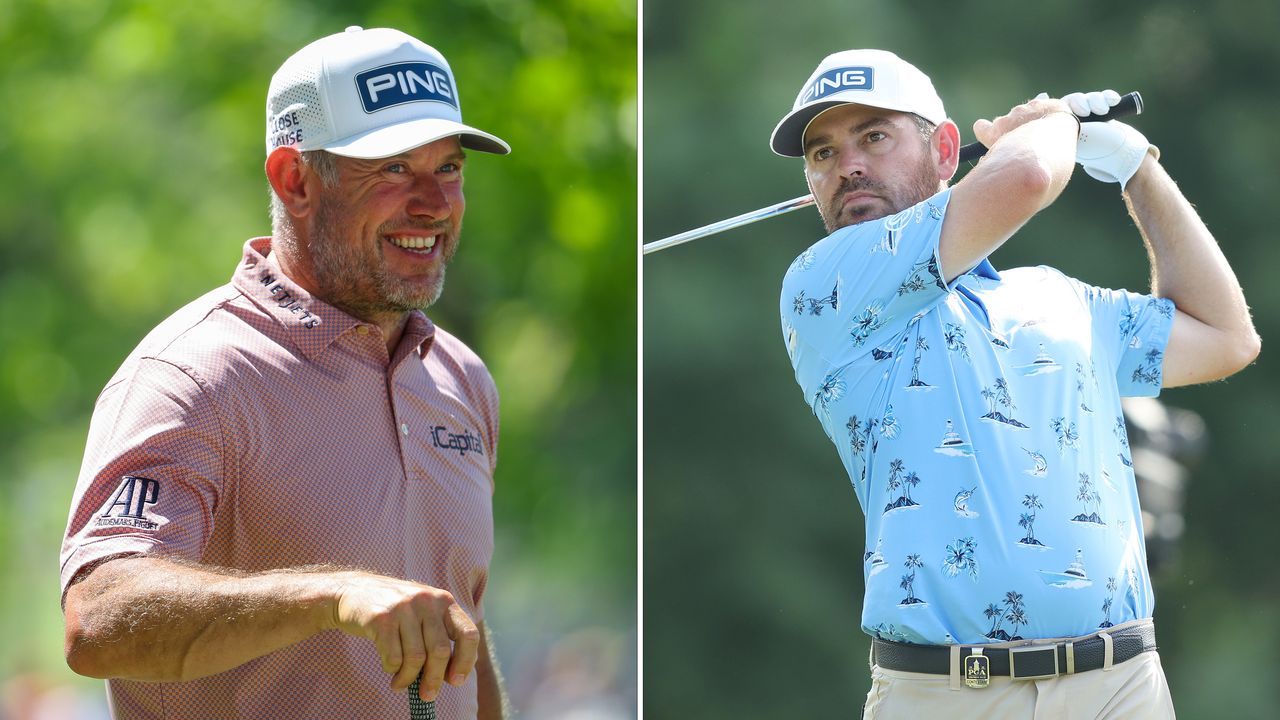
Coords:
979,412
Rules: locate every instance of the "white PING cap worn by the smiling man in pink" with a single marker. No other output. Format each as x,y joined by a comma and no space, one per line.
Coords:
368,94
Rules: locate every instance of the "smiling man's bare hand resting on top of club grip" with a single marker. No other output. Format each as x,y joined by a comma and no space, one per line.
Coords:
418,630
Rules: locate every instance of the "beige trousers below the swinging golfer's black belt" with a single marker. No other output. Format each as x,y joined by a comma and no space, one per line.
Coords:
1132,691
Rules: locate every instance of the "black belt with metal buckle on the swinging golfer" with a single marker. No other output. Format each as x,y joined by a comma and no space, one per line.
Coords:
1034,662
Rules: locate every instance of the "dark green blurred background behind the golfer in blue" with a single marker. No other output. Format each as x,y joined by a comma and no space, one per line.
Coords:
753,537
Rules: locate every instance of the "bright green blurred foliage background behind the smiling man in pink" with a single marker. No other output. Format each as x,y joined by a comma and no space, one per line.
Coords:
132,143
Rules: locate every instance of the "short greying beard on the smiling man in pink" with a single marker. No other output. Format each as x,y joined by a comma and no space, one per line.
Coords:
354,276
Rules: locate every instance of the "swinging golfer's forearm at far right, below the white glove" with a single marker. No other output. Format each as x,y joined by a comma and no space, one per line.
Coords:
1187,265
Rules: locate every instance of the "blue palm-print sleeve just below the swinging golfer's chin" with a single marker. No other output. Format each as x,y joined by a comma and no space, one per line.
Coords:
862,286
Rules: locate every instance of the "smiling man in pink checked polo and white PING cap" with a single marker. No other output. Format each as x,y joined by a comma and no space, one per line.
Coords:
267,523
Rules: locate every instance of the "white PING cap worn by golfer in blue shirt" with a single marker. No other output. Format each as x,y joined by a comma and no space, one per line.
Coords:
867,78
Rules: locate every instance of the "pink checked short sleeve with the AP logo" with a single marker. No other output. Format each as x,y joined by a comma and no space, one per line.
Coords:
152,473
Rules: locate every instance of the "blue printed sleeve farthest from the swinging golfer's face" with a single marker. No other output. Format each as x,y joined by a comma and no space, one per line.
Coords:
1135,330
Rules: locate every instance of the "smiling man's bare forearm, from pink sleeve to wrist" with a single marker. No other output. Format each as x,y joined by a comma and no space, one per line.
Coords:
149,619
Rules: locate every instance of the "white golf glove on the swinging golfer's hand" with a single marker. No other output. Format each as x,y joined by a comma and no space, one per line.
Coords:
1109,152
